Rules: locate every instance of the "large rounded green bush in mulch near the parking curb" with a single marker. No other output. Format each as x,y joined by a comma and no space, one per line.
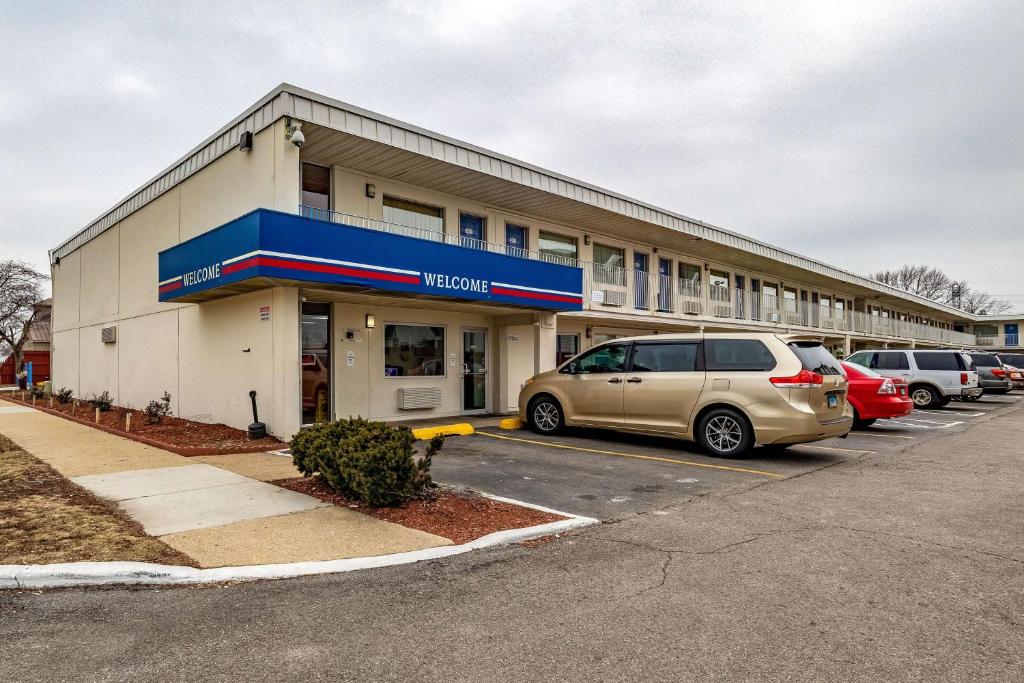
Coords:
369,462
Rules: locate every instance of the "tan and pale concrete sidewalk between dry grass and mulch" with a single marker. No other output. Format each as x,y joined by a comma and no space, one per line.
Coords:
218,509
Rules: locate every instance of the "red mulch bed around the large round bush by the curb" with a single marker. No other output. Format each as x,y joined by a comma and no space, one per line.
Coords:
460,518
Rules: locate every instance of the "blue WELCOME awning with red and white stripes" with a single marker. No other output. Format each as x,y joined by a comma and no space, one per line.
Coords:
265,248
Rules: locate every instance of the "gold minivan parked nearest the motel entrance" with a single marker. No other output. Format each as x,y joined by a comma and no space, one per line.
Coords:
726,391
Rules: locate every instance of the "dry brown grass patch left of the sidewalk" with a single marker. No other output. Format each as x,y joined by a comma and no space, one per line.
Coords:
46,519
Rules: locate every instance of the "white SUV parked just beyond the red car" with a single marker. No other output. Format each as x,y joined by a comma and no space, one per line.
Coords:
936,377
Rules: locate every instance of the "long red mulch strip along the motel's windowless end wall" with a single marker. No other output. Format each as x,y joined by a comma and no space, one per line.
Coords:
182,437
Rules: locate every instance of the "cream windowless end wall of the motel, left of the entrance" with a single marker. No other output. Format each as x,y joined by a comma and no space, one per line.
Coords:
195,352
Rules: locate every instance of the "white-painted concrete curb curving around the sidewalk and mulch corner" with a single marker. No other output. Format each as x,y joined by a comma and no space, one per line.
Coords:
147,574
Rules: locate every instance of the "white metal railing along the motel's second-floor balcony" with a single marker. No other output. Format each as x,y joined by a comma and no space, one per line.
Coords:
613,288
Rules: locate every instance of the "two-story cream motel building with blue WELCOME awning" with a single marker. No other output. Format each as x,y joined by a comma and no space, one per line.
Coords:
389,272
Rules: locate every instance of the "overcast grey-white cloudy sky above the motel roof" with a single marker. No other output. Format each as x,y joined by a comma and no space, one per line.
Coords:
867,135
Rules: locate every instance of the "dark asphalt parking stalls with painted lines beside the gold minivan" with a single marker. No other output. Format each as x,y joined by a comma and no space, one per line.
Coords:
611,476
